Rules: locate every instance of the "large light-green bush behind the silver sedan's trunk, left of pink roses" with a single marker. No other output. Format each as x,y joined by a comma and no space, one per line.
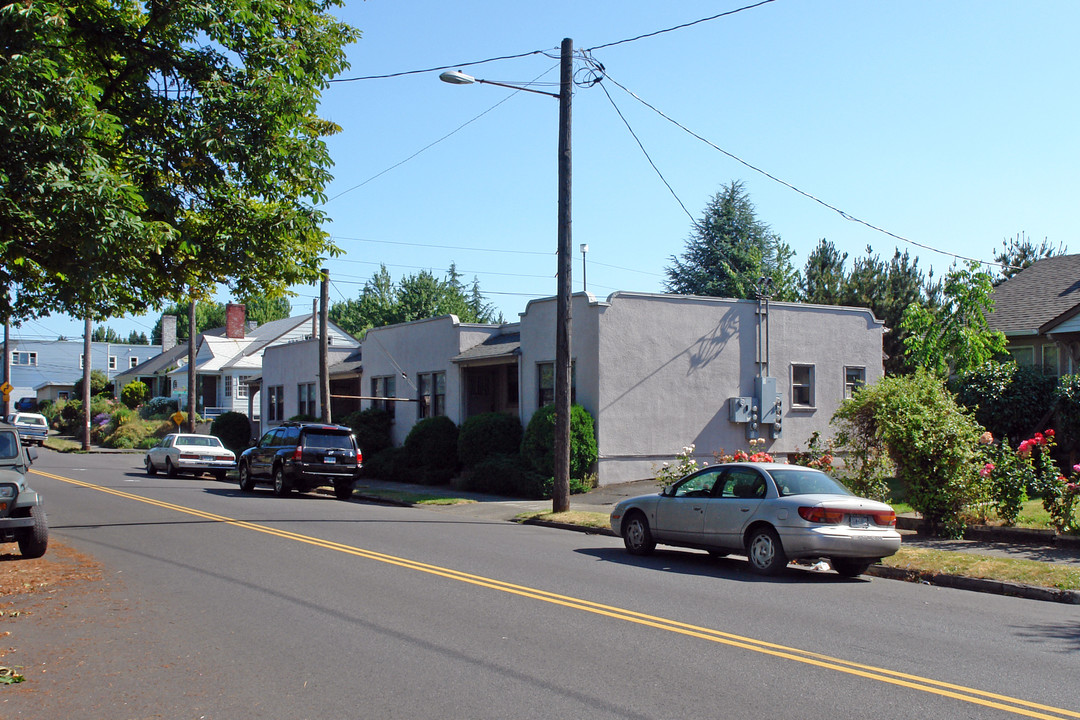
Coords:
929,438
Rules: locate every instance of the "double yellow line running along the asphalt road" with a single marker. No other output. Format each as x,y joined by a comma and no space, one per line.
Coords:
883,675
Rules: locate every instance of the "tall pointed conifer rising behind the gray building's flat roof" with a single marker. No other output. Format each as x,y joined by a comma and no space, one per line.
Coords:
730,251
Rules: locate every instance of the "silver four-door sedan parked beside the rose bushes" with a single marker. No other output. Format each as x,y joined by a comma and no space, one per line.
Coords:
772,512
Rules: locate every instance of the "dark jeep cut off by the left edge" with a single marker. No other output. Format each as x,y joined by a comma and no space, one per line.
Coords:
22,513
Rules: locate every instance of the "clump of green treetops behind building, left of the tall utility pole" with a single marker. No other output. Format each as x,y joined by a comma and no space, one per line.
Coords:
418,296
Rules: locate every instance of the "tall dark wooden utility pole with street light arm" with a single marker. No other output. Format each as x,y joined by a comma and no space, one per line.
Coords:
561,492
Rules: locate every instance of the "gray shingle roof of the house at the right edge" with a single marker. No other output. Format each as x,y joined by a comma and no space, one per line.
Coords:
1038,297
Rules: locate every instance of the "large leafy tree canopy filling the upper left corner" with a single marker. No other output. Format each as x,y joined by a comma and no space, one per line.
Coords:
154,151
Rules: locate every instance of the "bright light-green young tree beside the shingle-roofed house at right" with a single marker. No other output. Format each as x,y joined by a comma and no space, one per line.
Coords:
955,337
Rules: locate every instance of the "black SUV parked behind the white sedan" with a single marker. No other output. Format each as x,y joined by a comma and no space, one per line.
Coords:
301,456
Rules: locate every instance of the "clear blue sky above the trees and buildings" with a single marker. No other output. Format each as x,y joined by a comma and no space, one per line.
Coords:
952,125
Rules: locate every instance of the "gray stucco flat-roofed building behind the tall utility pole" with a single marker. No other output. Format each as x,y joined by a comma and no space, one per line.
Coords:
657,372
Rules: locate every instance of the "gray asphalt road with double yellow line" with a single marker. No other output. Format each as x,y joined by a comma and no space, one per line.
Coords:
220,605
